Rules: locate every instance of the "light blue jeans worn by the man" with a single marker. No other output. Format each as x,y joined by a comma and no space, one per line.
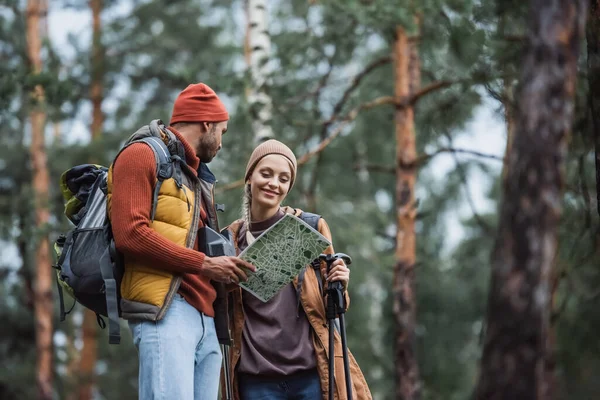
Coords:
179,356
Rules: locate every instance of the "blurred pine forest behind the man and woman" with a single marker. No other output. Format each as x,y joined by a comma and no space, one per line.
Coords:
402,115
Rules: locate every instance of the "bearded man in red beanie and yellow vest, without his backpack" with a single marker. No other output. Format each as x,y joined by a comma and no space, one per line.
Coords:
166,290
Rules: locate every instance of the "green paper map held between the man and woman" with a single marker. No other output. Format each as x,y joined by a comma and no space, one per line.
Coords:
279,254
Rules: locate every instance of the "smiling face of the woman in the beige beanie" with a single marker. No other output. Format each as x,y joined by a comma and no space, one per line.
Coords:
270,181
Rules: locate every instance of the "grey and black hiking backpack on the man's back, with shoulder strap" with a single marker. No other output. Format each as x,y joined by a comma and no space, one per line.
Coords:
89,268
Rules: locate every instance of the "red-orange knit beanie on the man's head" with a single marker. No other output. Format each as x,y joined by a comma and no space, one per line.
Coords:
198,103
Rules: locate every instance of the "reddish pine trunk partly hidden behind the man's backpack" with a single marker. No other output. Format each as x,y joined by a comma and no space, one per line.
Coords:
87,364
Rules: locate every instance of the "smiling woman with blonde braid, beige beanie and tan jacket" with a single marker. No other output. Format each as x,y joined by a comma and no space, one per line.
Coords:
280,347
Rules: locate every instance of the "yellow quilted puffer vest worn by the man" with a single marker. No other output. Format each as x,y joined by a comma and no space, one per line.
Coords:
147,292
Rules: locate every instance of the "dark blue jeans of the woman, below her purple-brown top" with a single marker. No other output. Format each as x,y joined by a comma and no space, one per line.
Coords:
300,386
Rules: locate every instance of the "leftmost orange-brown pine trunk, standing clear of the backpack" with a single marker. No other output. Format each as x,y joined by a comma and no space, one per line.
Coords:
36,14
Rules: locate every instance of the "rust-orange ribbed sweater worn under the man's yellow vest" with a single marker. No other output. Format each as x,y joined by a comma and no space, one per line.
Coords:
134,177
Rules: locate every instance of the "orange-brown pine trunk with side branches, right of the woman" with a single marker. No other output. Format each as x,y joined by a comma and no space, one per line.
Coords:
406,68
